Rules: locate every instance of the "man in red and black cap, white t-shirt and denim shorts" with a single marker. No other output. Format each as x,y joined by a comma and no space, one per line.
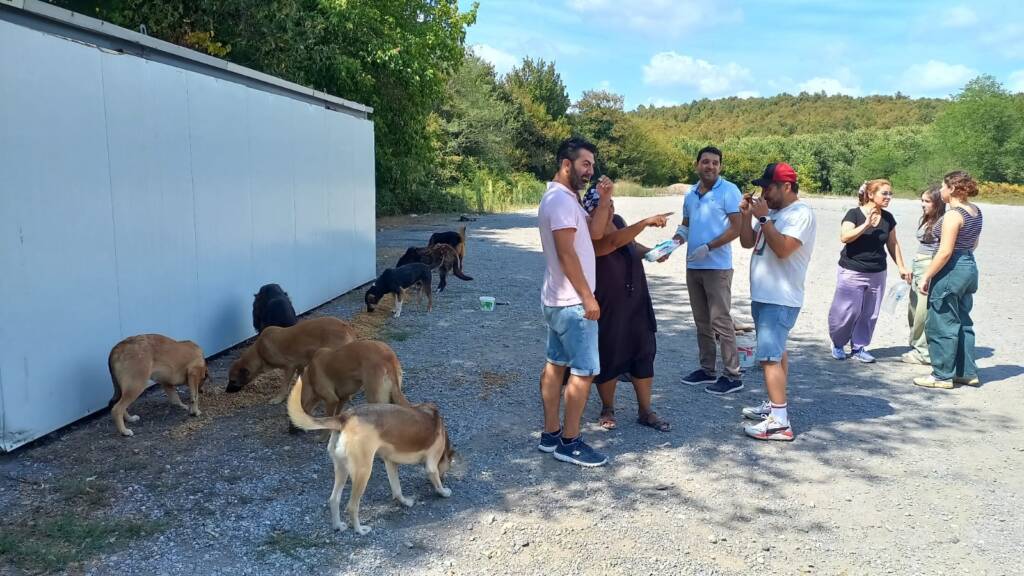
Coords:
783,238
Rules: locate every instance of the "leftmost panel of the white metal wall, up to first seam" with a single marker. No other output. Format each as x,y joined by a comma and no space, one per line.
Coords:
64,311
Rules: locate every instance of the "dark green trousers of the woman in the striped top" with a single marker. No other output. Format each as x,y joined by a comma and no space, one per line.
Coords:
950,328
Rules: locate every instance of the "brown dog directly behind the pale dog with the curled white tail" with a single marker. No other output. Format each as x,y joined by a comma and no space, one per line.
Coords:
334,376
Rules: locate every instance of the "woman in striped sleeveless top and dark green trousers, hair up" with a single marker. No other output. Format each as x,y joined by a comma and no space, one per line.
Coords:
951,282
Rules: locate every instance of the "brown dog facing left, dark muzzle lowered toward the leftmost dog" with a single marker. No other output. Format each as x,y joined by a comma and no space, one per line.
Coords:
290,349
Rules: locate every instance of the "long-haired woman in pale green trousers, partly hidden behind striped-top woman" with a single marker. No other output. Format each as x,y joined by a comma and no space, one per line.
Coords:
932,210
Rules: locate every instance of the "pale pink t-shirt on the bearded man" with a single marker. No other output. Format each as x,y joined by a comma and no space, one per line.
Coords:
561,210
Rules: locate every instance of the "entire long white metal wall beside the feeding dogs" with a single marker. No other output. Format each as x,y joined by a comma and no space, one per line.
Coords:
140,197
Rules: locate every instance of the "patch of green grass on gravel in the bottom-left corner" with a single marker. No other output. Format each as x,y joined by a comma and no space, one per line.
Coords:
55,544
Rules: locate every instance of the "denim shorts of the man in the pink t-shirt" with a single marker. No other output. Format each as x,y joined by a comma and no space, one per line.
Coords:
573,341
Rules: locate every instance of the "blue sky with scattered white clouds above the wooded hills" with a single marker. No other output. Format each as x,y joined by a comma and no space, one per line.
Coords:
672,52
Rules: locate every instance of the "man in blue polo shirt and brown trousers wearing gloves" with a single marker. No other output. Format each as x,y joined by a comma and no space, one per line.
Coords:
711,223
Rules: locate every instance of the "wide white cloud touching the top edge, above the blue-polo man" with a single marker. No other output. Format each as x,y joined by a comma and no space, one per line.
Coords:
667,18
